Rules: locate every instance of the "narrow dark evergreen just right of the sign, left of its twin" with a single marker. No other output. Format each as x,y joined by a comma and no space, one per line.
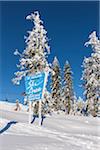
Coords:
56,85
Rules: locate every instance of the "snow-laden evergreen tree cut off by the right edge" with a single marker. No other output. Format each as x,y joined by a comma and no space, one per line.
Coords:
91,75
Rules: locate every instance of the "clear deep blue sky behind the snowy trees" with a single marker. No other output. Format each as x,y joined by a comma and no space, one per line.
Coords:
68,25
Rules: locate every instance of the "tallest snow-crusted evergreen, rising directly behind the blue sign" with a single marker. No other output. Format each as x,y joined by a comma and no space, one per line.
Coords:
34,58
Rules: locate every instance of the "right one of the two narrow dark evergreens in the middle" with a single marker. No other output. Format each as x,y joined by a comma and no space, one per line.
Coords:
68,95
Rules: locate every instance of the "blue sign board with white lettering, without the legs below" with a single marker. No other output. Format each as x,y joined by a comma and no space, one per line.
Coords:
34,86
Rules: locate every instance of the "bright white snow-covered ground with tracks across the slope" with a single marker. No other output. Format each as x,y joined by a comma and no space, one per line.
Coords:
59,132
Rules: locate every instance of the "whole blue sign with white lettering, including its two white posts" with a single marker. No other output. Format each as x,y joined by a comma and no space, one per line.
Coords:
35,88
